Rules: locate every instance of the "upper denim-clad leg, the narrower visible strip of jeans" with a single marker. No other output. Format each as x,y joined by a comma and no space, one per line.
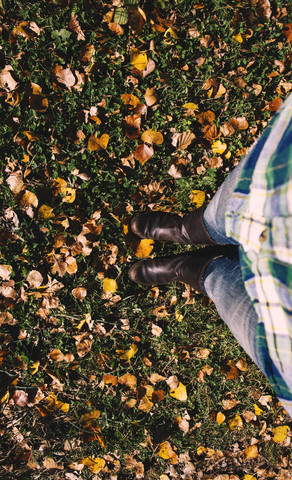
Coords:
214,215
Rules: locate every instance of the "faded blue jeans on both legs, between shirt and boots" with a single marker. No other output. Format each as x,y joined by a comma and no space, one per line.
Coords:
222,280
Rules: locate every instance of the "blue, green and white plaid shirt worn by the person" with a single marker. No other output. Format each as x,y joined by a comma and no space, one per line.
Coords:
259,218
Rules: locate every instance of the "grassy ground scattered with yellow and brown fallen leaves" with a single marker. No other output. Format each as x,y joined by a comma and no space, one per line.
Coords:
110,109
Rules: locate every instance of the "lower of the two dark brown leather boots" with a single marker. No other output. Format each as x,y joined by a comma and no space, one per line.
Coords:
188,268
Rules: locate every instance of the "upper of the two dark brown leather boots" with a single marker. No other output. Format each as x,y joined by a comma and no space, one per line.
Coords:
187,230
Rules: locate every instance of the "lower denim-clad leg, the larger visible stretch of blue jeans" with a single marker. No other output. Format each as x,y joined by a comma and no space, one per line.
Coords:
223,284
